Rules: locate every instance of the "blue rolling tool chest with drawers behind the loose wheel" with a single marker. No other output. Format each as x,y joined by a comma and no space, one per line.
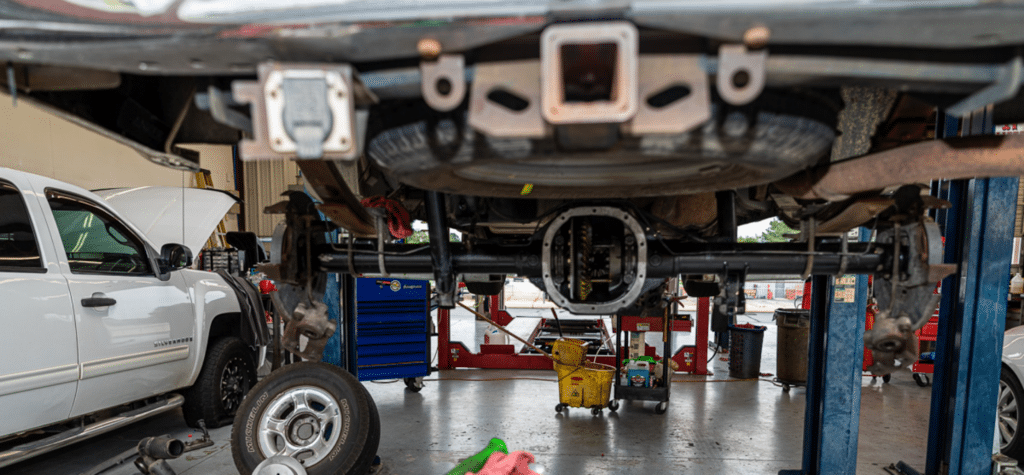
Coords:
388,325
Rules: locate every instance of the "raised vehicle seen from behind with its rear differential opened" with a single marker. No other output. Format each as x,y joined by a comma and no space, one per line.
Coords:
595,148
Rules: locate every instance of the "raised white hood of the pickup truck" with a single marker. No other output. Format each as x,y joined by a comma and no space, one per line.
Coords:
168,214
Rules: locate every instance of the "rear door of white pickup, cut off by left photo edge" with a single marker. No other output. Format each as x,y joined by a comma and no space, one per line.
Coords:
38,350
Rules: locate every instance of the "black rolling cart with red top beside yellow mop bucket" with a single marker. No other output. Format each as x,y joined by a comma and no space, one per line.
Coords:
655,324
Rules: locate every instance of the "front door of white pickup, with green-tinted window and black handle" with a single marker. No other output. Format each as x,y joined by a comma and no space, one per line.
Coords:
136,332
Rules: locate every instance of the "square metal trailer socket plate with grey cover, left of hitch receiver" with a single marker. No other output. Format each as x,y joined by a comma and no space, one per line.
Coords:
301,111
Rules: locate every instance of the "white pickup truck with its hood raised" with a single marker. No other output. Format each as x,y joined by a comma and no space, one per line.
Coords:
99,329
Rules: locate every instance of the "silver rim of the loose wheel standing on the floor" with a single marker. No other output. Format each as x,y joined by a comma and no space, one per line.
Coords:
302,423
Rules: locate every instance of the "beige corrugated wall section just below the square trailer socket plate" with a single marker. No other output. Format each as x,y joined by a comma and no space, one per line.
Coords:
266,182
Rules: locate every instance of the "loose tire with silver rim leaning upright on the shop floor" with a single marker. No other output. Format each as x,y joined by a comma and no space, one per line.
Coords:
307,406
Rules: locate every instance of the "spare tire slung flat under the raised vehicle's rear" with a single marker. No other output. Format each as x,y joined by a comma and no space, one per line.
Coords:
775,137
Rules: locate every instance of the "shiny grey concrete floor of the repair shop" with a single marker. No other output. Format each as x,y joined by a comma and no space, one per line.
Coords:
714,425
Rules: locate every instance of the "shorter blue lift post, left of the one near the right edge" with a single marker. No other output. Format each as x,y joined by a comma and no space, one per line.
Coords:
836,354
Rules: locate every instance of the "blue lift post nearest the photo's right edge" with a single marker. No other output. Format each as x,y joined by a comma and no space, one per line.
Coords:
972,318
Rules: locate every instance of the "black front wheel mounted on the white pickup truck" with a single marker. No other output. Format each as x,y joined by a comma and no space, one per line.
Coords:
228,374
